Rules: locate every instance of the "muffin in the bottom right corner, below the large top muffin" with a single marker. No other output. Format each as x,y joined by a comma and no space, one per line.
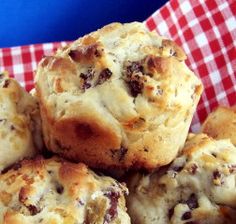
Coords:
199,187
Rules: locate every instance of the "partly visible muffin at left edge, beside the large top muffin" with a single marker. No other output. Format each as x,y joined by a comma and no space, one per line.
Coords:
20,125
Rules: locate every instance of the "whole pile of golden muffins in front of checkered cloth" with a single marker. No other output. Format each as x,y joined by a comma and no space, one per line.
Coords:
103,138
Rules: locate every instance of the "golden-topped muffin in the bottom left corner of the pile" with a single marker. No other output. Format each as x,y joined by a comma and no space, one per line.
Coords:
54,191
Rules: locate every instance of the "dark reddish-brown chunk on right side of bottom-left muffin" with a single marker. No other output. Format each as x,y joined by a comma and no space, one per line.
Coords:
111,213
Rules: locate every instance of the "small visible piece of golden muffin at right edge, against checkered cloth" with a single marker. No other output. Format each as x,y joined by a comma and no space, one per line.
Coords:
221,123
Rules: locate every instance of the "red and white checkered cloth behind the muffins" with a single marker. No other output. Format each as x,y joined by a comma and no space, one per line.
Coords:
206,30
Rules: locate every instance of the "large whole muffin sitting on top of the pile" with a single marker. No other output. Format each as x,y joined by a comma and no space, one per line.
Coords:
119,97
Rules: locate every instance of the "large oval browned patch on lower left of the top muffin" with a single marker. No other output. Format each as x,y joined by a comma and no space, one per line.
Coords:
80,133
